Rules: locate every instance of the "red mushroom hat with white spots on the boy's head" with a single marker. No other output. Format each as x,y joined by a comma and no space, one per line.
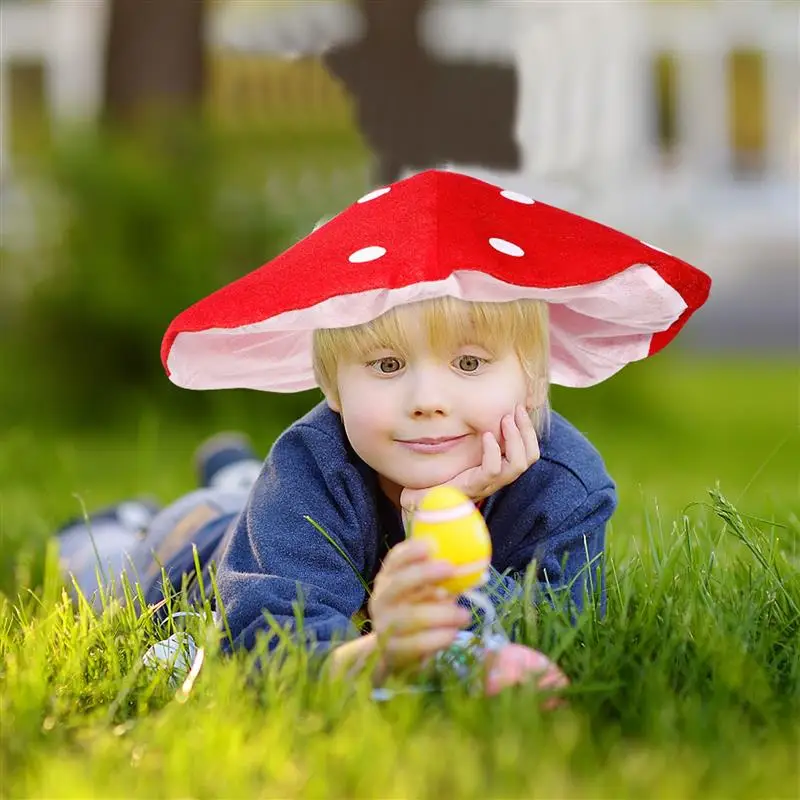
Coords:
612,298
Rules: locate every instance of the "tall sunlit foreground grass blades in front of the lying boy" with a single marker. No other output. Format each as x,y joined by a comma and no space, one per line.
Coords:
697,663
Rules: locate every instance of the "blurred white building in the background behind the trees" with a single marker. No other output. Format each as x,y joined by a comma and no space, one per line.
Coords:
589,110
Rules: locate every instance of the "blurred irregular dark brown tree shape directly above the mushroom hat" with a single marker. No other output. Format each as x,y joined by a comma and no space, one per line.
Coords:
415,111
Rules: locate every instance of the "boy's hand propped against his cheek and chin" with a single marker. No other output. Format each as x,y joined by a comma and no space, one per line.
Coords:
497,469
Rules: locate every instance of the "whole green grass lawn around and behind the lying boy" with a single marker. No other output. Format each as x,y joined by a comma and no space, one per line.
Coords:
689,687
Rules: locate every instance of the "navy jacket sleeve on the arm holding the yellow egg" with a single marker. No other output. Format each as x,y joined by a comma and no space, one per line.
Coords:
278,566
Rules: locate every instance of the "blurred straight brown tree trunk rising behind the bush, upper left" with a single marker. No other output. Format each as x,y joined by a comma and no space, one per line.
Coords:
154,58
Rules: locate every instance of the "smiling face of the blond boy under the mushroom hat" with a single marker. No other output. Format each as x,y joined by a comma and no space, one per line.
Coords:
389,401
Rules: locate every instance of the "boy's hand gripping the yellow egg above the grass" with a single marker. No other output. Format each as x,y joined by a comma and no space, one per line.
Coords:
412,617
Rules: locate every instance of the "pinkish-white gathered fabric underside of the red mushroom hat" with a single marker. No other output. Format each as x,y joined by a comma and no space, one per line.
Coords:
595,330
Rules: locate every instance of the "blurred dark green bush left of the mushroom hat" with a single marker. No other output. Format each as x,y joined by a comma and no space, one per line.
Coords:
140,229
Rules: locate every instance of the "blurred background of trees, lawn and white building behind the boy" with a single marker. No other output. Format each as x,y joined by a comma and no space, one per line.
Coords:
152,151
